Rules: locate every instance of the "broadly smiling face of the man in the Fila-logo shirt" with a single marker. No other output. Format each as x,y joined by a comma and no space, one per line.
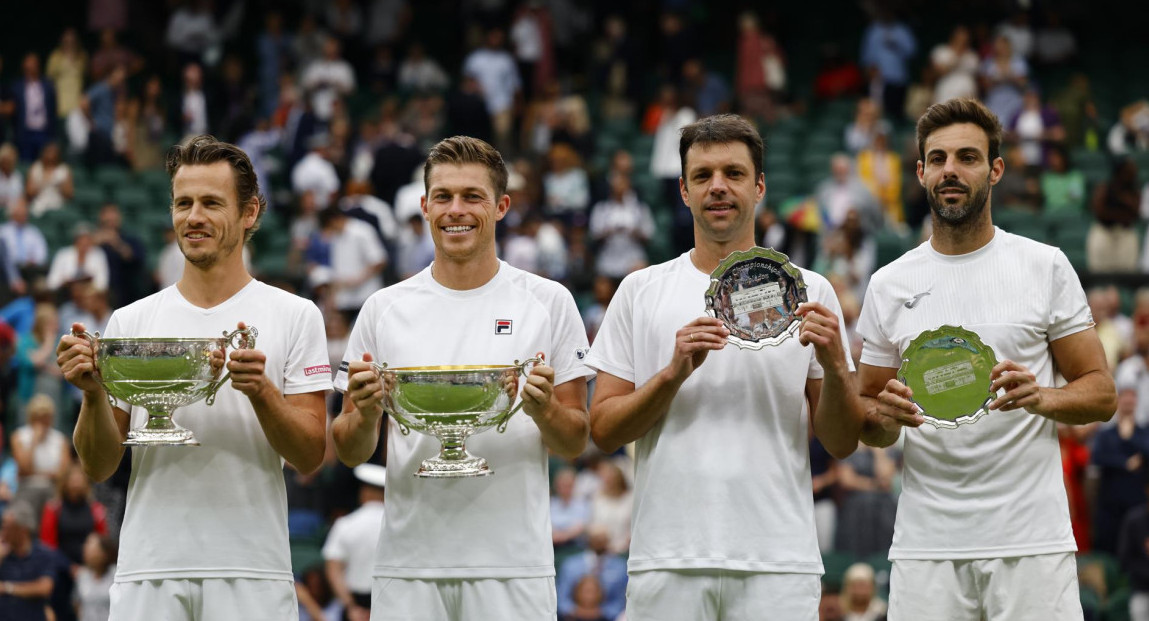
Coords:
462,209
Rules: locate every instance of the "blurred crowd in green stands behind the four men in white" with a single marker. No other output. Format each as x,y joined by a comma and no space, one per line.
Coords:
336,104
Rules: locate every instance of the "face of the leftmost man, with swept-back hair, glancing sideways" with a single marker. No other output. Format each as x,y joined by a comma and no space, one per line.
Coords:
205,213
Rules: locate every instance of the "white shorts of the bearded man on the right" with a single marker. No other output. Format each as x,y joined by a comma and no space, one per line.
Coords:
1039,588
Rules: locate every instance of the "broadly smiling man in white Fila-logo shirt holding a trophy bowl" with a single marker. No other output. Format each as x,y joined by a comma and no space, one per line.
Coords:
467,549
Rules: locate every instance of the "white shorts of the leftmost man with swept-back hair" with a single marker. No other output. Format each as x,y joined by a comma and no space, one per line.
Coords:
209,600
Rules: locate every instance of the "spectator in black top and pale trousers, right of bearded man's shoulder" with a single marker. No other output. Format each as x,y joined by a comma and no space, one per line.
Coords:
1113,242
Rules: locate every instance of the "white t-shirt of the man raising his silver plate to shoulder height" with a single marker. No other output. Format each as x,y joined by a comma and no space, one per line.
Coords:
723,480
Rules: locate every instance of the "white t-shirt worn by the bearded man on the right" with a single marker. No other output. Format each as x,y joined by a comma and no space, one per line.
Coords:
992,489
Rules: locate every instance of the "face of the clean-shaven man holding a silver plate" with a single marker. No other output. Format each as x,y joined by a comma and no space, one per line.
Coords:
721,189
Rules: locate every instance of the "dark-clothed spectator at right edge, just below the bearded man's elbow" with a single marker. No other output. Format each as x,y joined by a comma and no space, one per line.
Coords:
1120,454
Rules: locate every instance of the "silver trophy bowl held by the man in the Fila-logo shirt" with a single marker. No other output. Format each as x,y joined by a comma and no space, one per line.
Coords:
453,403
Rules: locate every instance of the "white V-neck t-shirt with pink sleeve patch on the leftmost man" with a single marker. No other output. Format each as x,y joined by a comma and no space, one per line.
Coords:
220,510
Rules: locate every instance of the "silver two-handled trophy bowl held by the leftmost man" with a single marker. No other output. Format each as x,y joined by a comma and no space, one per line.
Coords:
161,375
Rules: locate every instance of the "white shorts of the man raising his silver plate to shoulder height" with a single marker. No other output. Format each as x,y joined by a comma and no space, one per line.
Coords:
710,595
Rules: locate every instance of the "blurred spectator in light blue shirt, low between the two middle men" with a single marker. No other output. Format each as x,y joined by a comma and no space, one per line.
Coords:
607,568
